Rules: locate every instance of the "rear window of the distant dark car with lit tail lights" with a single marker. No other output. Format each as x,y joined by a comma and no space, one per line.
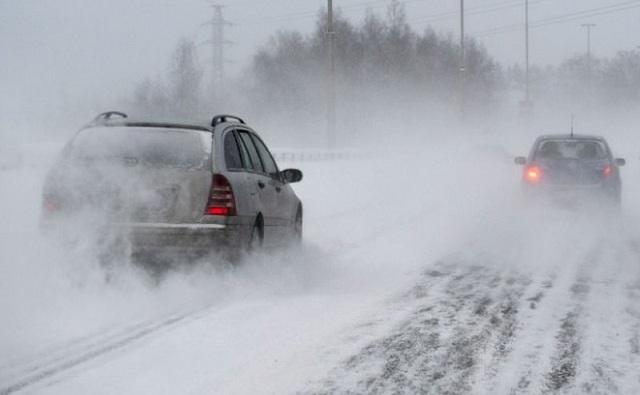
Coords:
571,149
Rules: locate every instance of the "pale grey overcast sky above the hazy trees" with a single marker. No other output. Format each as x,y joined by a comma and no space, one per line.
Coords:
70,49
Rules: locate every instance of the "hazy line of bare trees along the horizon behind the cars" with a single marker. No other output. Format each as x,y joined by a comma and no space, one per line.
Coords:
379,61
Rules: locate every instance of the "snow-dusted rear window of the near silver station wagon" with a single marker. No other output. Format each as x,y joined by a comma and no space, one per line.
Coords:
152,146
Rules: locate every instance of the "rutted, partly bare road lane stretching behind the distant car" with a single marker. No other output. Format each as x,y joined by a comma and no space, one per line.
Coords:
569,327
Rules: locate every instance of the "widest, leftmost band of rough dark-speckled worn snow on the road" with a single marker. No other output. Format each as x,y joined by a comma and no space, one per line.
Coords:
438,348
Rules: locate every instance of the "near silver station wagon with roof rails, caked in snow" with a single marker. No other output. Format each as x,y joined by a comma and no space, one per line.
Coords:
172,186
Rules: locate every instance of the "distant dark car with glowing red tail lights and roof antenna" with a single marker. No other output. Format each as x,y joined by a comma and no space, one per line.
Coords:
571,169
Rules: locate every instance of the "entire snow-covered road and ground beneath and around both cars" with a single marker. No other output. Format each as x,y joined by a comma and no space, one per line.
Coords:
410,281
